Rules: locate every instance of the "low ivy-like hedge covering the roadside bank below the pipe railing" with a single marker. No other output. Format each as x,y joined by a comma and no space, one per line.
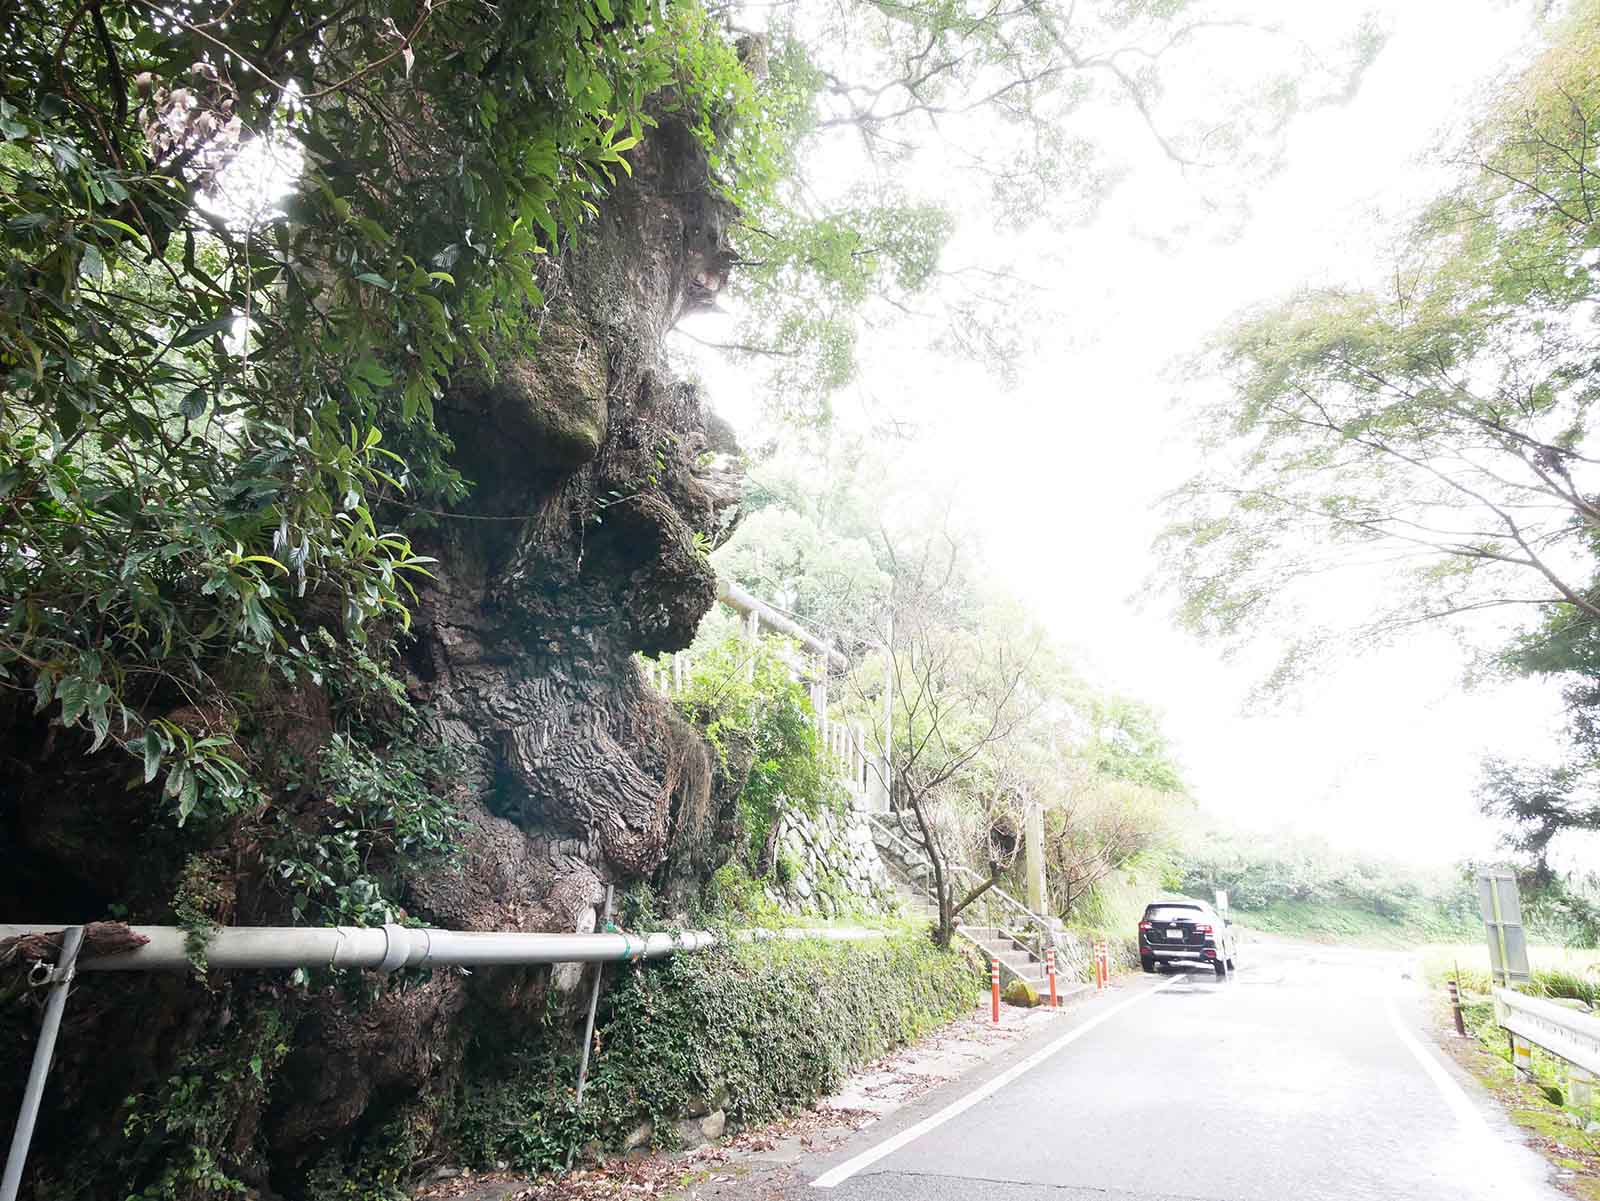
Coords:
737,1027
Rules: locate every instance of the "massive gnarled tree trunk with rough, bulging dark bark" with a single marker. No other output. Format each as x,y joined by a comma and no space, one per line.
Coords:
575,549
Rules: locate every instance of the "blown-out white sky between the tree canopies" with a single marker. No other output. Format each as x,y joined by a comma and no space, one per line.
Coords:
1060,474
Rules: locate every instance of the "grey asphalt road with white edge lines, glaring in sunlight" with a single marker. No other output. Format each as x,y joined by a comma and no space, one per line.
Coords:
1305,1077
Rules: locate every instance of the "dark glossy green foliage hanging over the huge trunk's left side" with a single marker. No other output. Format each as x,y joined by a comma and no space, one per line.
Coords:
239,269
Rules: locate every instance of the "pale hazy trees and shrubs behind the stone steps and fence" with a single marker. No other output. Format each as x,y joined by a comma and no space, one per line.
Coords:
990,717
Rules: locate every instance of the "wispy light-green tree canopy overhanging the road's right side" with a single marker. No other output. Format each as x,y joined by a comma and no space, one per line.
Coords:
1433,434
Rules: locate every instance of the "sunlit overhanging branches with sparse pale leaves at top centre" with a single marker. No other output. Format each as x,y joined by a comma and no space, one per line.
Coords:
910,113
